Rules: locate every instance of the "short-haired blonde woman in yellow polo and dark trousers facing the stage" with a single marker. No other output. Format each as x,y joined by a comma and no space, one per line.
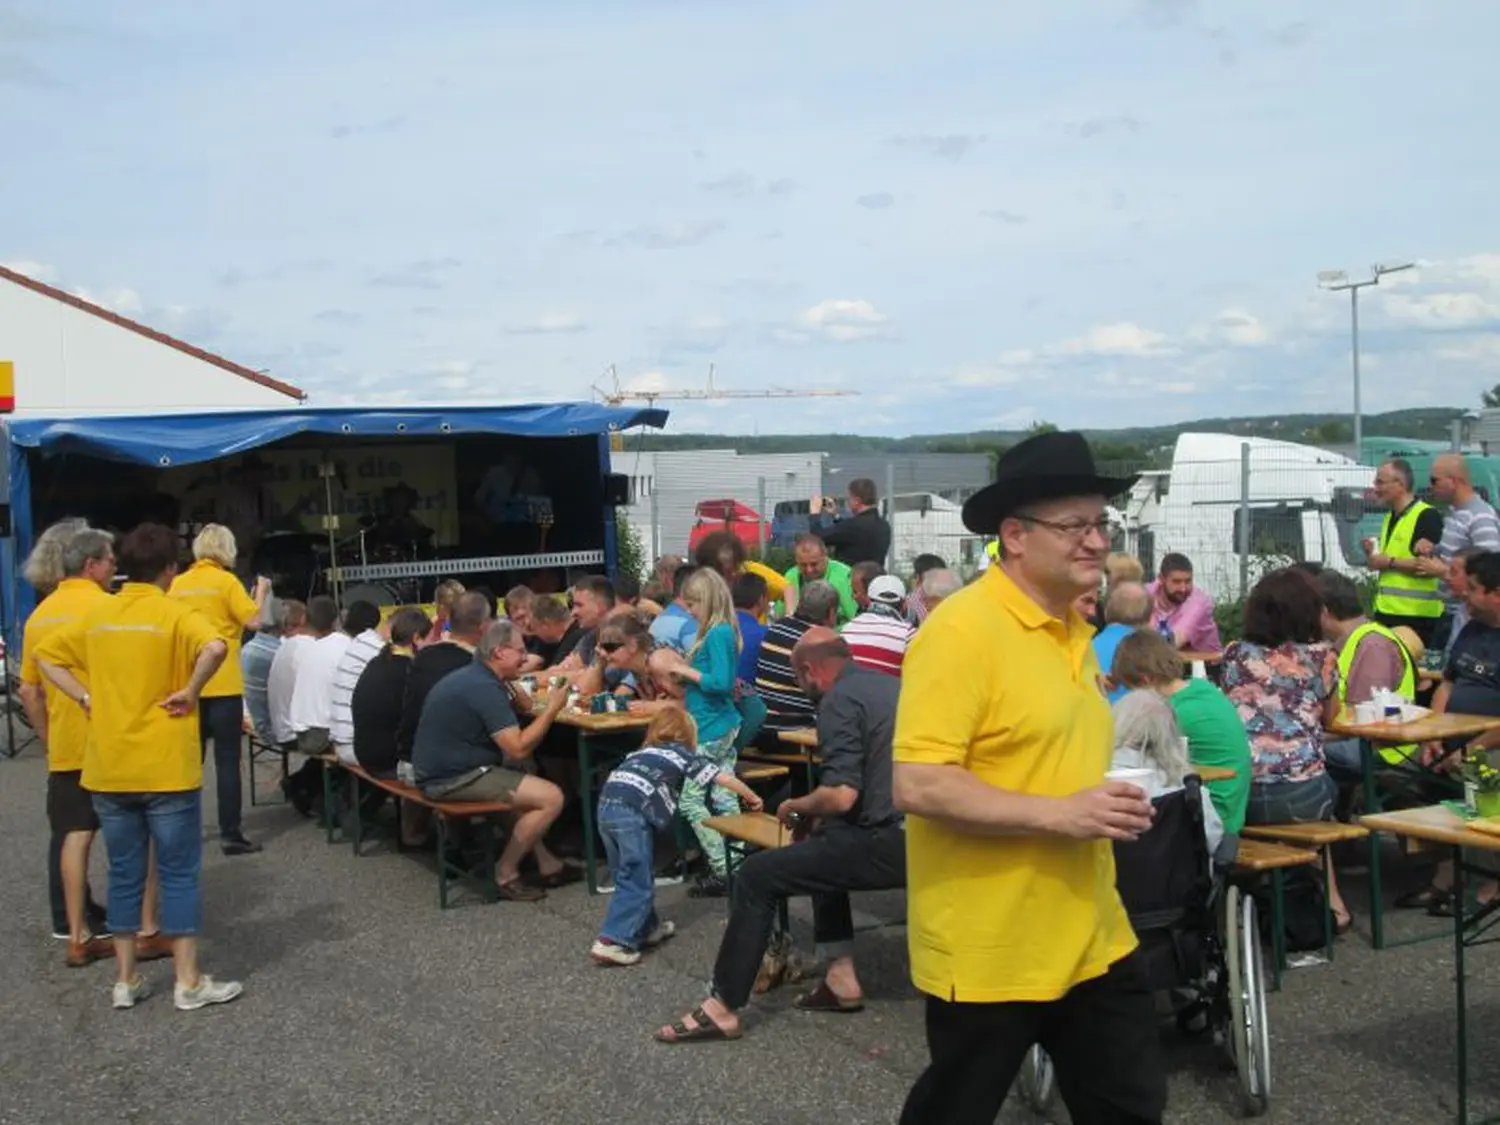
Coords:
212,589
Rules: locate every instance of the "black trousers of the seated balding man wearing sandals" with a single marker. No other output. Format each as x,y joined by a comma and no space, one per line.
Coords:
826,866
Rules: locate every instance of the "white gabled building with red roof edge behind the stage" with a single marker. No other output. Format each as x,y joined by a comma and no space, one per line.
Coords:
73,358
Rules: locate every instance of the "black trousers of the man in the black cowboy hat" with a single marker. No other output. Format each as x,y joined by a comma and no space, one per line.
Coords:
1102,1037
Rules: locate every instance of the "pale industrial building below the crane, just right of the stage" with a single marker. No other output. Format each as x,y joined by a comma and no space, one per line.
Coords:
670,485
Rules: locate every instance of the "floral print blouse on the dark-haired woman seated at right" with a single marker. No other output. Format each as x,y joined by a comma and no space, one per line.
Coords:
1280,695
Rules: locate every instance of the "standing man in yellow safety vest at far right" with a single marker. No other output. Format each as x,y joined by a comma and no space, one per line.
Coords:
1405,596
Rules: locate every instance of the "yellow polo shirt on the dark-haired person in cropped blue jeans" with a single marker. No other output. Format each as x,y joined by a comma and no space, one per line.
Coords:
136,649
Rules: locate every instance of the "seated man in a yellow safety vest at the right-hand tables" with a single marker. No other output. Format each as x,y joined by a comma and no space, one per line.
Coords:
1370,656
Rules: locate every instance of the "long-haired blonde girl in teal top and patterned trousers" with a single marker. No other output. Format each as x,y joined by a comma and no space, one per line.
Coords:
710,676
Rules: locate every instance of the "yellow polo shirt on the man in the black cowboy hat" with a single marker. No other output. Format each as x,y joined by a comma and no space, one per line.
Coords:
997,686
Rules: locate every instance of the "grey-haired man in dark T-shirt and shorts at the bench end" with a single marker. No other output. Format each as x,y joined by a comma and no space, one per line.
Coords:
470,748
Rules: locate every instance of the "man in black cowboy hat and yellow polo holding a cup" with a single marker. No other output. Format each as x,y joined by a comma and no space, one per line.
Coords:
1003,740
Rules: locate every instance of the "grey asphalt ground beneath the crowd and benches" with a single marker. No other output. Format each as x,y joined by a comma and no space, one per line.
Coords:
367,1004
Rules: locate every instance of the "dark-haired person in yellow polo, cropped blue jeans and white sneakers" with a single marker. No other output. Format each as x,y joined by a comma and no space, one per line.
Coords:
137,665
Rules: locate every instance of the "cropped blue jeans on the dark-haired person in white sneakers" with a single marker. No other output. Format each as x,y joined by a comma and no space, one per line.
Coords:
131,823
